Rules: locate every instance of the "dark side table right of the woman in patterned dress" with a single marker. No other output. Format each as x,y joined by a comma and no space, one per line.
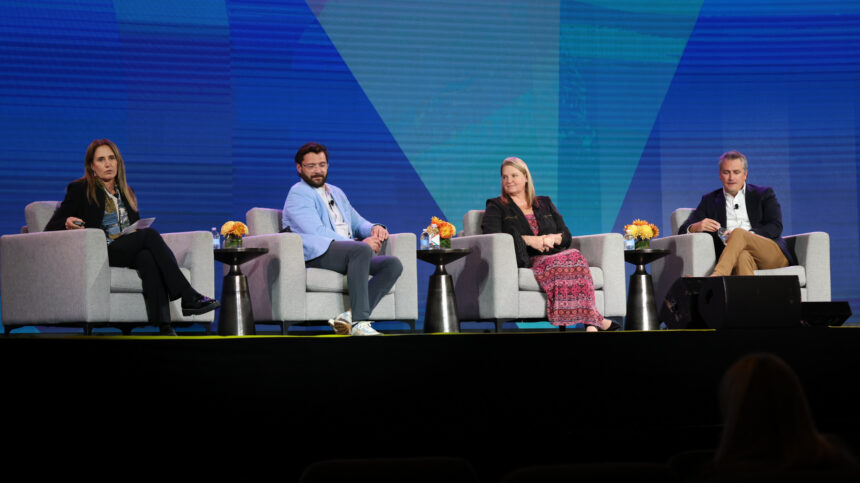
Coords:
641,306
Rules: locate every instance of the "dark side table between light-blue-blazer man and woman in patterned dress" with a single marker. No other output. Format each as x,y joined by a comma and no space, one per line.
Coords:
440,314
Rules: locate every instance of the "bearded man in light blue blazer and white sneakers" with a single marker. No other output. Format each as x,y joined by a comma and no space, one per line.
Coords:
335,237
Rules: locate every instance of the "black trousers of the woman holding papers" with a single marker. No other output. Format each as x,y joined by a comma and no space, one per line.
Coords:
146,252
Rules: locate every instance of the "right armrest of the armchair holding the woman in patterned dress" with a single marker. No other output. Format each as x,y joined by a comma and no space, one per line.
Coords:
607,252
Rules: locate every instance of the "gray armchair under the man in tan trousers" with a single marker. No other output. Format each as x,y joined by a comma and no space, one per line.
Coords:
693,254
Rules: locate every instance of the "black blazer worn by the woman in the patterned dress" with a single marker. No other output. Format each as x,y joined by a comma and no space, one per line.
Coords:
500,217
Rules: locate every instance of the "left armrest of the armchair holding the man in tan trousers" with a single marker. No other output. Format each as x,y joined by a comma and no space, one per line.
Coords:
692,254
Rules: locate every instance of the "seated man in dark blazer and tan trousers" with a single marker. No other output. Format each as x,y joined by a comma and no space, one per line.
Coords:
752,219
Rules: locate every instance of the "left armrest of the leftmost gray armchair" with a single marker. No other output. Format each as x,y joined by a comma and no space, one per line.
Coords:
56,276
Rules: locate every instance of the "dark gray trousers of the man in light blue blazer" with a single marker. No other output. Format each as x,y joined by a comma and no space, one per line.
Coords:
356,260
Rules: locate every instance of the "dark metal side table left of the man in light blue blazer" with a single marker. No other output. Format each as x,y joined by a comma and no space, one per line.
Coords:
236,317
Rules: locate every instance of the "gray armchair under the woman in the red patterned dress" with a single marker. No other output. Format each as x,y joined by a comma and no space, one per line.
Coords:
489,286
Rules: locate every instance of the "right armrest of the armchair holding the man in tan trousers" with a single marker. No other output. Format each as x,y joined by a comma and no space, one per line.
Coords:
813,253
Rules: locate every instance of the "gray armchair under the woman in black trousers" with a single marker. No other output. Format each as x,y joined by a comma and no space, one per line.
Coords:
62,278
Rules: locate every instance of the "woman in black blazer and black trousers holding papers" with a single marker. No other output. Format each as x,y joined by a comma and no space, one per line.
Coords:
102,199
